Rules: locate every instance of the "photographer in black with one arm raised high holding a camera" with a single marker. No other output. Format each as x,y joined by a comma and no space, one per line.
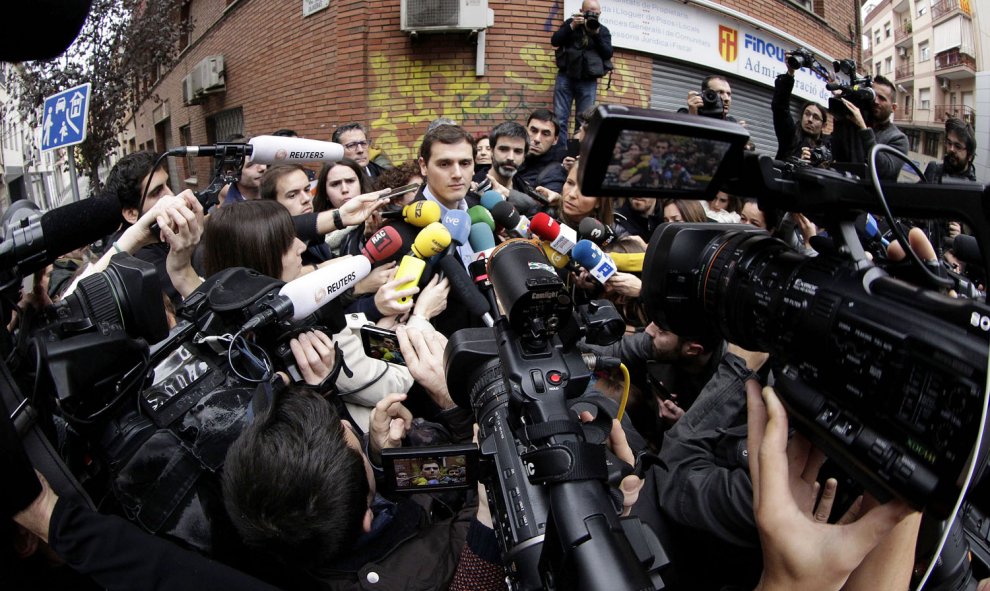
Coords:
796,141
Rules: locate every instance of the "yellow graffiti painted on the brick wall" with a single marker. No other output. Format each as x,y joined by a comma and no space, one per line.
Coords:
407,93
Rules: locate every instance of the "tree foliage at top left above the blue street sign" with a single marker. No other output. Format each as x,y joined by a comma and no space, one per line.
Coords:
120,49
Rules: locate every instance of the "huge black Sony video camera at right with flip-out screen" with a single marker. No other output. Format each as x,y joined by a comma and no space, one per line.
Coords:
888,377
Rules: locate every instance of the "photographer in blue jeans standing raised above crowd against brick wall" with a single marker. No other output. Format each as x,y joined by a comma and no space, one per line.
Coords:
583,49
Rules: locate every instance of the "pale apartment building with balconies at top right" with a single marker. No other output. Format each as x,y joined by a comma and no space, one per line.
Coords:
930,49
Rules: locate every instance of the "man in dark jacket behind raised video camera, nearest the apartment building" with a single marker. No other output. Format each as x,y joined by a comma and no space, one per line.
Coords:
855,134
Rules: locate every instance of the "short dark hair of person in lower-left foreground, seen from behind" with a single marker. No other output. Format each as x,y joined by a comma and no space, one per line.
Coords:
292,486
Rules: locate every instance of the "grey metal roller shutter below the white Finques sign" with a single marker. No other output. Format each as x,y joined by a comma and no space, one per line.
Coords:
750,102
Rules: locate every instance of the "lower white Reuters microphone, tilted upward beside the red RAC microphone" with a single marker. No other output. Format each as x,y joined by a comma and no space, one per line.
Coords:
302,296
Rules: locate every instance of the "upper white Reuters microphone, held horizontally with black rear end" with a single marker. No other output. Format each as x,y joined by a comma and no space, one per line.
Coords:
270,149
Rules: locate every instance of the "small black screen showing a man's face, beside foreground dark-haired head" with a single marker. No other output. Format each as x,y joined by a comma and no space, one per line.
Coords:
430,469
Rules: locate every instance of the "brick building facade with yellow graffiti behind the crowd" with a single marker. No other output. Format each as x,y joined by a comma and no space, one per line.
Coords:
351,62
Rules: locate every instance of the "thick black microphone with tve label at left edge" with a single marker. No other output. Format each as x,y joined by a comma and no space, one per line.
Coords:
36,242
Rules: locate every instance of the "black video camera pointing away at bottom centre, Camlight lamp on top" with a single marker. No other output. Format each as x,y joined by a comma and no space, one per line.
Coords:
545,476
